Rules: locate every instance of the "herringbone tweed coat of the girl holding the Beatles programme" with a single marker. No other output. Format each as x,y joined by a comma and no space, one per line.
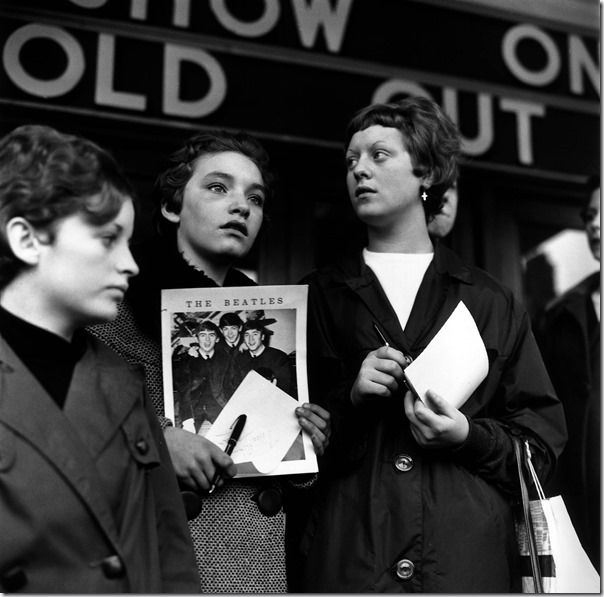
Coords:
238,549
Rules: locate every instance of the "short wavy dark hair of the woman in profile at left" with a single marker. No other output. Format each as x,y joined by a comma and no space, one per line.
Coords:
46,175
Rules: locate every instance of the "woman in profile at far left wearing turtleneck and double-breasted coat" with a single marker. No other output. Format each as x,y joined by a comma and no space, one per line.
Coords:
88,497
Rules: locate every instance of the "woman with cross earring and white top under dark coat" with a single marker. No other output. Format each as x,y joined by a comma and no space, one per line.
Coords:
416,497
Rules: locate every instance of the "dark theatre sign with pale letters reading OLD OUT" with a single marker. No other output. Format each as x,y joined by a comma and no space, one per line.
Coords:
525,96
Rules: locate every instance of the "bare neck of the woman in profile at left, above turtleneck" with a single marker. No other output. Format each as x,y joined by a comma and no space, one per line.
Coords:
23,299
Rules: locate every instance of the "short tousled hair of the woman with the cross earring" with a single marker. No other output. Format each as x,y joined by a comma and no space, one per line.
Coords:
429,135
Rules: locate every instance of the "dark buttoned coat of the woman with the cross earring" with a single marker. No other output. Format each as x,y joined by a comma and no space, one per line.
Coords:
442,519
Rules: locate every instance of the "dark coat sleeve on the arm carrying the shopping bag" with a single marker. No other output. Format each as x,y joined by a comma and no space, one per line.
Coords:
528,408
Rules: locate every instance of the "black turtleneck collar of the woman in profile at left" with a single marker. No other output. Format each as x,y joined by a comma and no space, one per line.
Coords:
50,358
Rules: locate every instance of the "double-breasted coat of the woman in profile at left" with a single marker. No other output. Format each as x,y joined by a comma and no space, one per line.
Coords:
88,497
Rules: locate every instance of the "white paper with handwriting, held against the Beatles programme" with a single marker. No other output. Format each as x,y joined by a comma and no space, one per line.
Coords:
271,425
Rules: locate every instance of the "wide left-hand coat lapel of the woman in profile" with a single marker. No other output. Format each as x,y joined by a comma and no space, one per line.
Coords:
27,408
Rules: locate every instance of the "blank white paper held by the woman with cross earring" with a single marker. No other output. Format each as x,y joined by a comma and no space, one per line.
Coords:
454,363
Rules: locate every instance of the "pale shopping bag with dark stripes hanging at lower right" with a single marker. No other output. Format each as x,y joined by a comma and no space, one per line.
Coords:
552,556
